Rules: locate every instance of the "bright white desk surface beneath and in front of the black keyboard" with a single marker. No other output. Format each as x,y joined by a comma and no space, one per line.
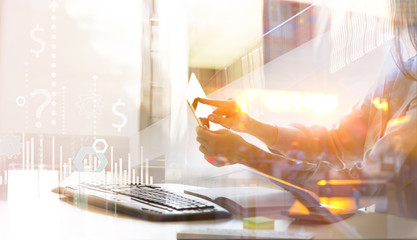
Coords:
41,214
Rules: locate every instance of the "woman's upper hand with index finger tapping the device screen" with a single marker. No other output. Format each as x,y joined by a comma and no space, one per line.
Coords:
228,114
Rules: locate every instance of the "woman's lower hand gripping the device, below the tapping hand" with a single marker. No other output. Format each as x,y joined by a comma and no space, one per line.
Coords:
222,147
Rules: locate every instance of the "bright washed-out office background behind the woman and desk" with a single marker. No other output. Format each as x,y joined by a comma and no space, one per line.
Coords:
109,75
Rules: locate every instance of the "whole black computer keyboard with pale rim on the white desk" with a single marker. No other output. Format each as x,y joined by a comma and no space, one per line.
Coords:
149,202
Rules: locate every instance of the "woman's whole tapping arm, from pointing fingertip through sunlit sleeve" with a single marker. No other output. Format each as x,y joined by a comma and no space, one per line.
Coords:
344,141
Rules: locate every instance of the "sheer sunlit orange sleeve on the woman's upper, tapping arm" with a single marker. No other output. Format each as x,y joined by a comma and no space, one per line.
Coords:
337,145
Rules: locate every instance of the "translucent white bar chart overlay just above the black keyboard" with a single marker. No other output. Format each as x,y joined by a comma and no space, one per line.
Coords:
37,155
